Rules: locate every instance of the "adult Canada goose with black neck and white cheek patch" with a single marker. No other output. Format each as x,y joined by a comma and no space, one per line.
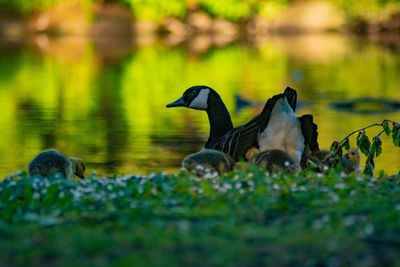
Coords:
276,127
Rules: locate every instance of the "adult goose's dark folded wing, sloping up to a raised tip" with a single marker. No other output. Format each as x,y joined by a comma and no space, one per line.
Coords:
237,141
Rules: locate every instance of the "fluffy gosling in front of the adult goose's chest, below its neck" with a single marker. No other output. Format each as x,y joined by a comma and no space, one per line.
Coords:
208,160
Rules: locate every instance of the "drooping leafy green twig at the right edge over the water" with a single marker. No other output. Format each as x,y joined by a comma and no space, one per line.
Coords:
370,150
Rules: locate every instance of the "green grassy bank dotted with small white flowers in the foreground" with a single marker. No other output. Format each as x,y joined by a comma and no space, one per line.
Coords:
245,218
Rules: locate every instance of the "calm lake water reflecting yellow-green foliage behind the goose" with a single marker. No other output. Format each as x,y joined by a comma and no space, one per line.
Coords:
105,101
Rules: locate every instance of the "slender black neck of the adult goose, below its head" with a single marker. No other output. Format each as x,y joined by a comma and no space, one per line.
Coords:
220,120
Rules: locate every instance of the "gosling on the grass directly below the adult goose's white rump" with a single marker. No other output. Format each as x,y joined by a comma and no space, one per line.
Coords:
273,161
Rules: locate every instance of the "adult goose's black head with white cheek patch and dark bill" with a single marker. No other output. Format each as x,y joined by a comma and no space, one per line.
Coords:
196,97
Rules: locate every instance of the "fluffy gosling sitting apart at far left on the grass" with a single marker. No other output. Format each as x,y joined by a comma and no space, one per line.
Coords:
50,162
